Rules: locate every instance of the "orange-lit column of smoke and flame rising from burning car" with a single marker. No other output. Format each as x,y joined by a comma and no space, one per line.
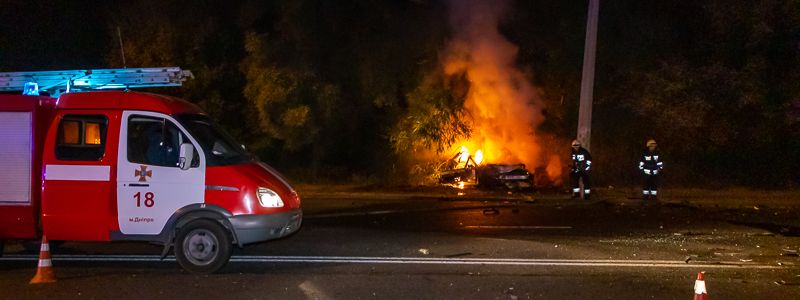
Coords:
504,105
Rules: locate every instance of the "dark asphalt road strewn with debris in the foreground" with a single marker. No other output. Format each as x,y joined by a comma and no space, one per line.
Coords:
456,248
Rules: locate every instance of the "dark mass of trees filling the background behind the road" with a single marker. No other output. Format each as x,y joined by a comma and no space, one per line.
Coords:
338,89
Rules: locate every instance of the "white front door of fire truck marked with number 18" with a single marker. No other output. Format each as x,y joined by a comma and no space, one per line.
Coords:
151,186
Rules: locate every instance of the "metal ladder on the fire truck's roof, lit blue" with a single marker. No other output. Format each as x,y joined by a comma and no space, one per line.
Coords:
57,82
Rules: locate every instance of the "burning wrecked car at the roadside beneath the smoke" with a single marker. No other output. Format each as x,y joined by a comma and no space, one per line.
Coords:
464,170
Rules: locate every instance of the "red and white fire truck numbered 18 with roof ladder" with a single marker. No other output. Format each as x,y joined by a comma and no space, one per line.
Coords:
94,161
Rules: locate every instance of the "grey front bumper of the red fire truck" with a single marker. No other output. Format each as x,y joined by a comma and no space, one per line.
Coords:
259,228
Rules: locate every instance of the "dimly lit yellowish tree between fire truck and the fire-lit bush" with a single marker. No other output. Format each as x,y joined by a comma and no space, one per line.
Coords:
293,106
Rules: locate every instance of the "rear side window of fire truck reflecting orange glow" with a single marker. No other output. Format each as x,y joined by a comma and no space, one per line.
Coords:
81,137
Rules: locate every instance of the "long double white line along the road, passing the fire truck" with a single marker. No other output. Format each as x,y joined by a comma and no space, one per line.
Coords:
423,261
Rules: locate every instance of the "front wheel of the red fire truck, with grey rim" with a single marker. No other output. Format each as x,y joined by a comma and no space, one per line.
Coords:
203,246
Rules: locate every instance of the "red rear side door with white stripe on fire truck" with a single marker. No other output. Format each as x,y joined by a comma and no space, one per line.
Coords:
77,193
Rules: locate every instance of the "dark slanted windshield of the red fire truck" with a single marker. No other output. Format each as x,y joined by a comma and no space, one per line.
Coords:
219,147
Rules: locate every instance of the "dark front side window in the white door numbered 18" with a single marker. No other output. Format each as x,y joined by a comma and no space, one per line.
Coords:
154,141
